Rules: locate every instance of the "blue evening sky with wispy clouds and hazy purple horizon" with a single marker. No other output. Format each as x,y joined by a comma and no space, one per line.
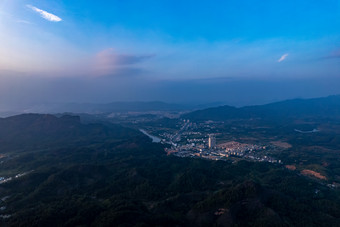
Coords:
236,52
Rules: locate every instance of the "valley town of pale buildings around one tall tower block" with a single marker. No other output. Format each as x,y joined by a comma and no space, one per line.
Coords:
193,143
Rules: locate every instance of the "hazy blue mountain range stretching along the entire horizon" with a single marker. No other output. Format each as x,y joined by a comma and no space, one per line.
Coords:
316,107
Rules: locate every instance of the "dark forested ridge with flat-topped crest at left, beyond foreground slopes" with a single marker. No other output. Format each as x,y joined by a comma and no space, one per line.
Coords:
43,130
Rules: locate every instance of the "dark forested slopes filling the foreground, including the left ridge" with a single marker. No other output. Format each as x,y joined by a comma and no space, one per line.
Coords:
115,176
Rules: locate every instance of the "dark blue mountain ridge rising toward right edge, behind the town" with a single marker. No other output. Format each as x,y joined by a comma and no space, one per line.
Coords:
328,107
